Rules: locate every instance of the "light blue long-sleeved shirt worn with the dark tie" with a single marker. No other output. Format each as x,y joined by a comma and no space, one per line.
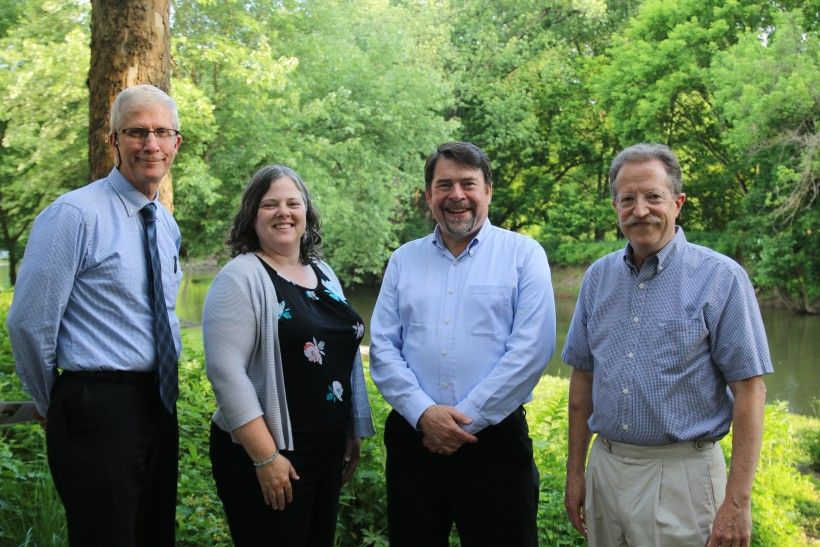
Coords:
81,301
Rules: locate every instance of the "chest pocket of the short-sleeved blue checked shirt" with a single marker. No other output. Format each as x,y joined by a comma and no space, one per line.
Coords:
678,341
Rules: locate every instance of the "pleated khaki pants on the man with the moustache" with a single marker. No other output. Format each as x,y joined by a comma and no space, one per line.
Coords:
653,495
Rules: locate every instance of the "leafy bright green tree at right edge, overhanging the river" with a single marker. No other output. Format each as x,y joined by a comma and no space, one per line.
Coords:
766,86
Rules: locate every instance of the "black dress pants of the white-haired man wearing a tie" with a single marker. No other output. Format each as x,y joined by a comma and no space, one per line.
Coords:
113,451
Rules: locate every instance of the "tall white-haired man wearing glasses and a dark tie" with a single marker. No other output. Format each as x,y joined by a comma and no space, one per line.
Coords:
96,339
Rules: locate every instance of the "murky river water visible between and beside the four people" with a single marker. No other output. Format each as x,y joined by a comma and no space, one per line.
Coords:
794,341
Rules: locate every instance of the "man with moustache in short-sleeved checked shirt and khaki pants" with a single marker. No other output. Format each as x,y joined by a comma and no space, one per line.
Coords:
668,351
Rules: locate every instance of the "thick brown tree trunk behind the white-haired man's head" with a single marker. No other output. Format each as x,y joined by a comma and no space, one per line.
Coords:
130,45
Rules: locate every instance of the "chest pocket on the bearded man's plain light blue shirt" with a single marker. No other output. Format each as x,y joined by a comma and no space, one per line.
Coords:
488,309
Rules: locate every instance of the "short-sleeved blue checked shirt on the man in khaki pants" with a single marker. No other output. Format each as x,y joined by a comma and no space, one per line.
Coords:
663,343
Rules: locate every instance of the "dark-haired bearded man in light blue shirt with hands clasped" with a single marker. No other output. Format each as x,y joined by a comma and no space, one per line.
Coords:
462,330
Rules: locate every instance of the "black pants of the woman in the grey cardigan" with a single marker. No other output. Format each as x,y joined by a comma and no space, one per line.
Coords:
309,520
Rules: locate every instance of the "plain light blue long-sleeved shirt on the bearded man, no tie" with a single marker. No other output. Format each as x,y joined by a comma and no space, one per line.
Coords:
474,331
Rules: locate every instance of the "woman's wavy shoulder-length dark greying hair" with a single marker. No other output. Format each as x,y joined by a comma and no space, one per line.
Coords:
243,238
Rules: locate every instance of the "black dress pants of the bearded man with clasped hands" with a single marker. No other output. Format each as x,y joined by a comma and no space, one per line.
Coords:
489,489
